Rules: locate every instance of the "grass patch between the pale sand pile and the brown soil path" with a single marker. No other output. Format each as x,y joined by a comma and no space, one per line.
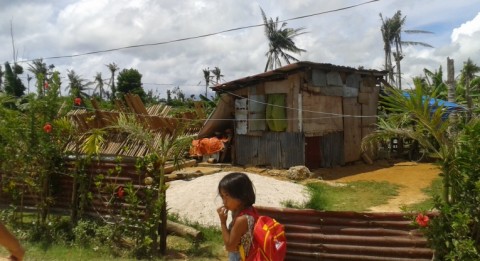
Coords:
354,196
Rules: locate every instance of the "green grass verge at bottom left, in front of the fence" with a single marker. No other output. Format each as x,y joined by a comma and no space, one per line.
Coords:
58,247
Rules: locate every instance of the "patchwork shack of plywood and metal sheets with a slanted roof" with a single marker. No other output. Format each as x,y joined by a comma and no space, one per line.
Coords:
305,113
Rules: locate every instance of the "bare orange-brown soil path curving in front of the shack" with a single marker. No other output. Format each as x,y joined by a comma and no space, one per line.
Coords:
413,178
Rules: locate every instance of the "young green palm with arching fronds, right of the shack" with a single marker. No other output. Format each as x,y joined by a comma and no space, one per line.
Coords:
411,116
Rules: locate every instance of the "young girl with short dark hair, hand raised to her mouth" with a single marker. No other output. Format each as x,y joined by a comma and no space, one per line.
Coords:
238,196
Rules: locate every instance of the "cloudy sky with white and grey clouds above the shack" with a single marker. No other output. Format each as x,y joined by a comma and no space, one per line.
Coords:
347,37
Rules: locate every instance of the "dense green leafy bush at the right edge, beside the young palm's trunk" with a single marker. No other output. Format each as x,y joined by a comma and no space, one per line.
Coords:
454,233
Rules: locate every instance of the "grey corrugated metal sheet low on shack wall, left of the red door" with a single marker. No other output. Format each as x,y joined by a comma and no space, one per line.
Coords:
276,149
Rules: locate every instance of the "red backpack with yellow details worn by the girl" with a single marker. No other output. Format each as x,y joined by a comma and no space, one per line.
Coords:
269,241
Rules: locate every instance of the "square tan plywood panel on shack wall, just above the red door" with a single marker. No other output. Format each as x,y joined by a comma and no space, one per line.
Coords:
321,114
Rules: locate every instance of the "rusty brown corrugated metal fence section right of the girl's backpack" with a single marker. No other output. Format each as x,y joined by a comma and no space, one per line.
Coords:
324,235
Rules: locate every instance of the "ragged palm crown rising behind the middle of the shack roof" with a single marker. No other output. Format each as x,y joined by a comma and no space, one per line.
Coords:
280,42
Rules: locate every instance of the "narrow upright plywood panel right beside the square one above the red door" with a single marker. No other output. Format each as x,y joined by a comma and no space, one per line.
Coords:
352,129
